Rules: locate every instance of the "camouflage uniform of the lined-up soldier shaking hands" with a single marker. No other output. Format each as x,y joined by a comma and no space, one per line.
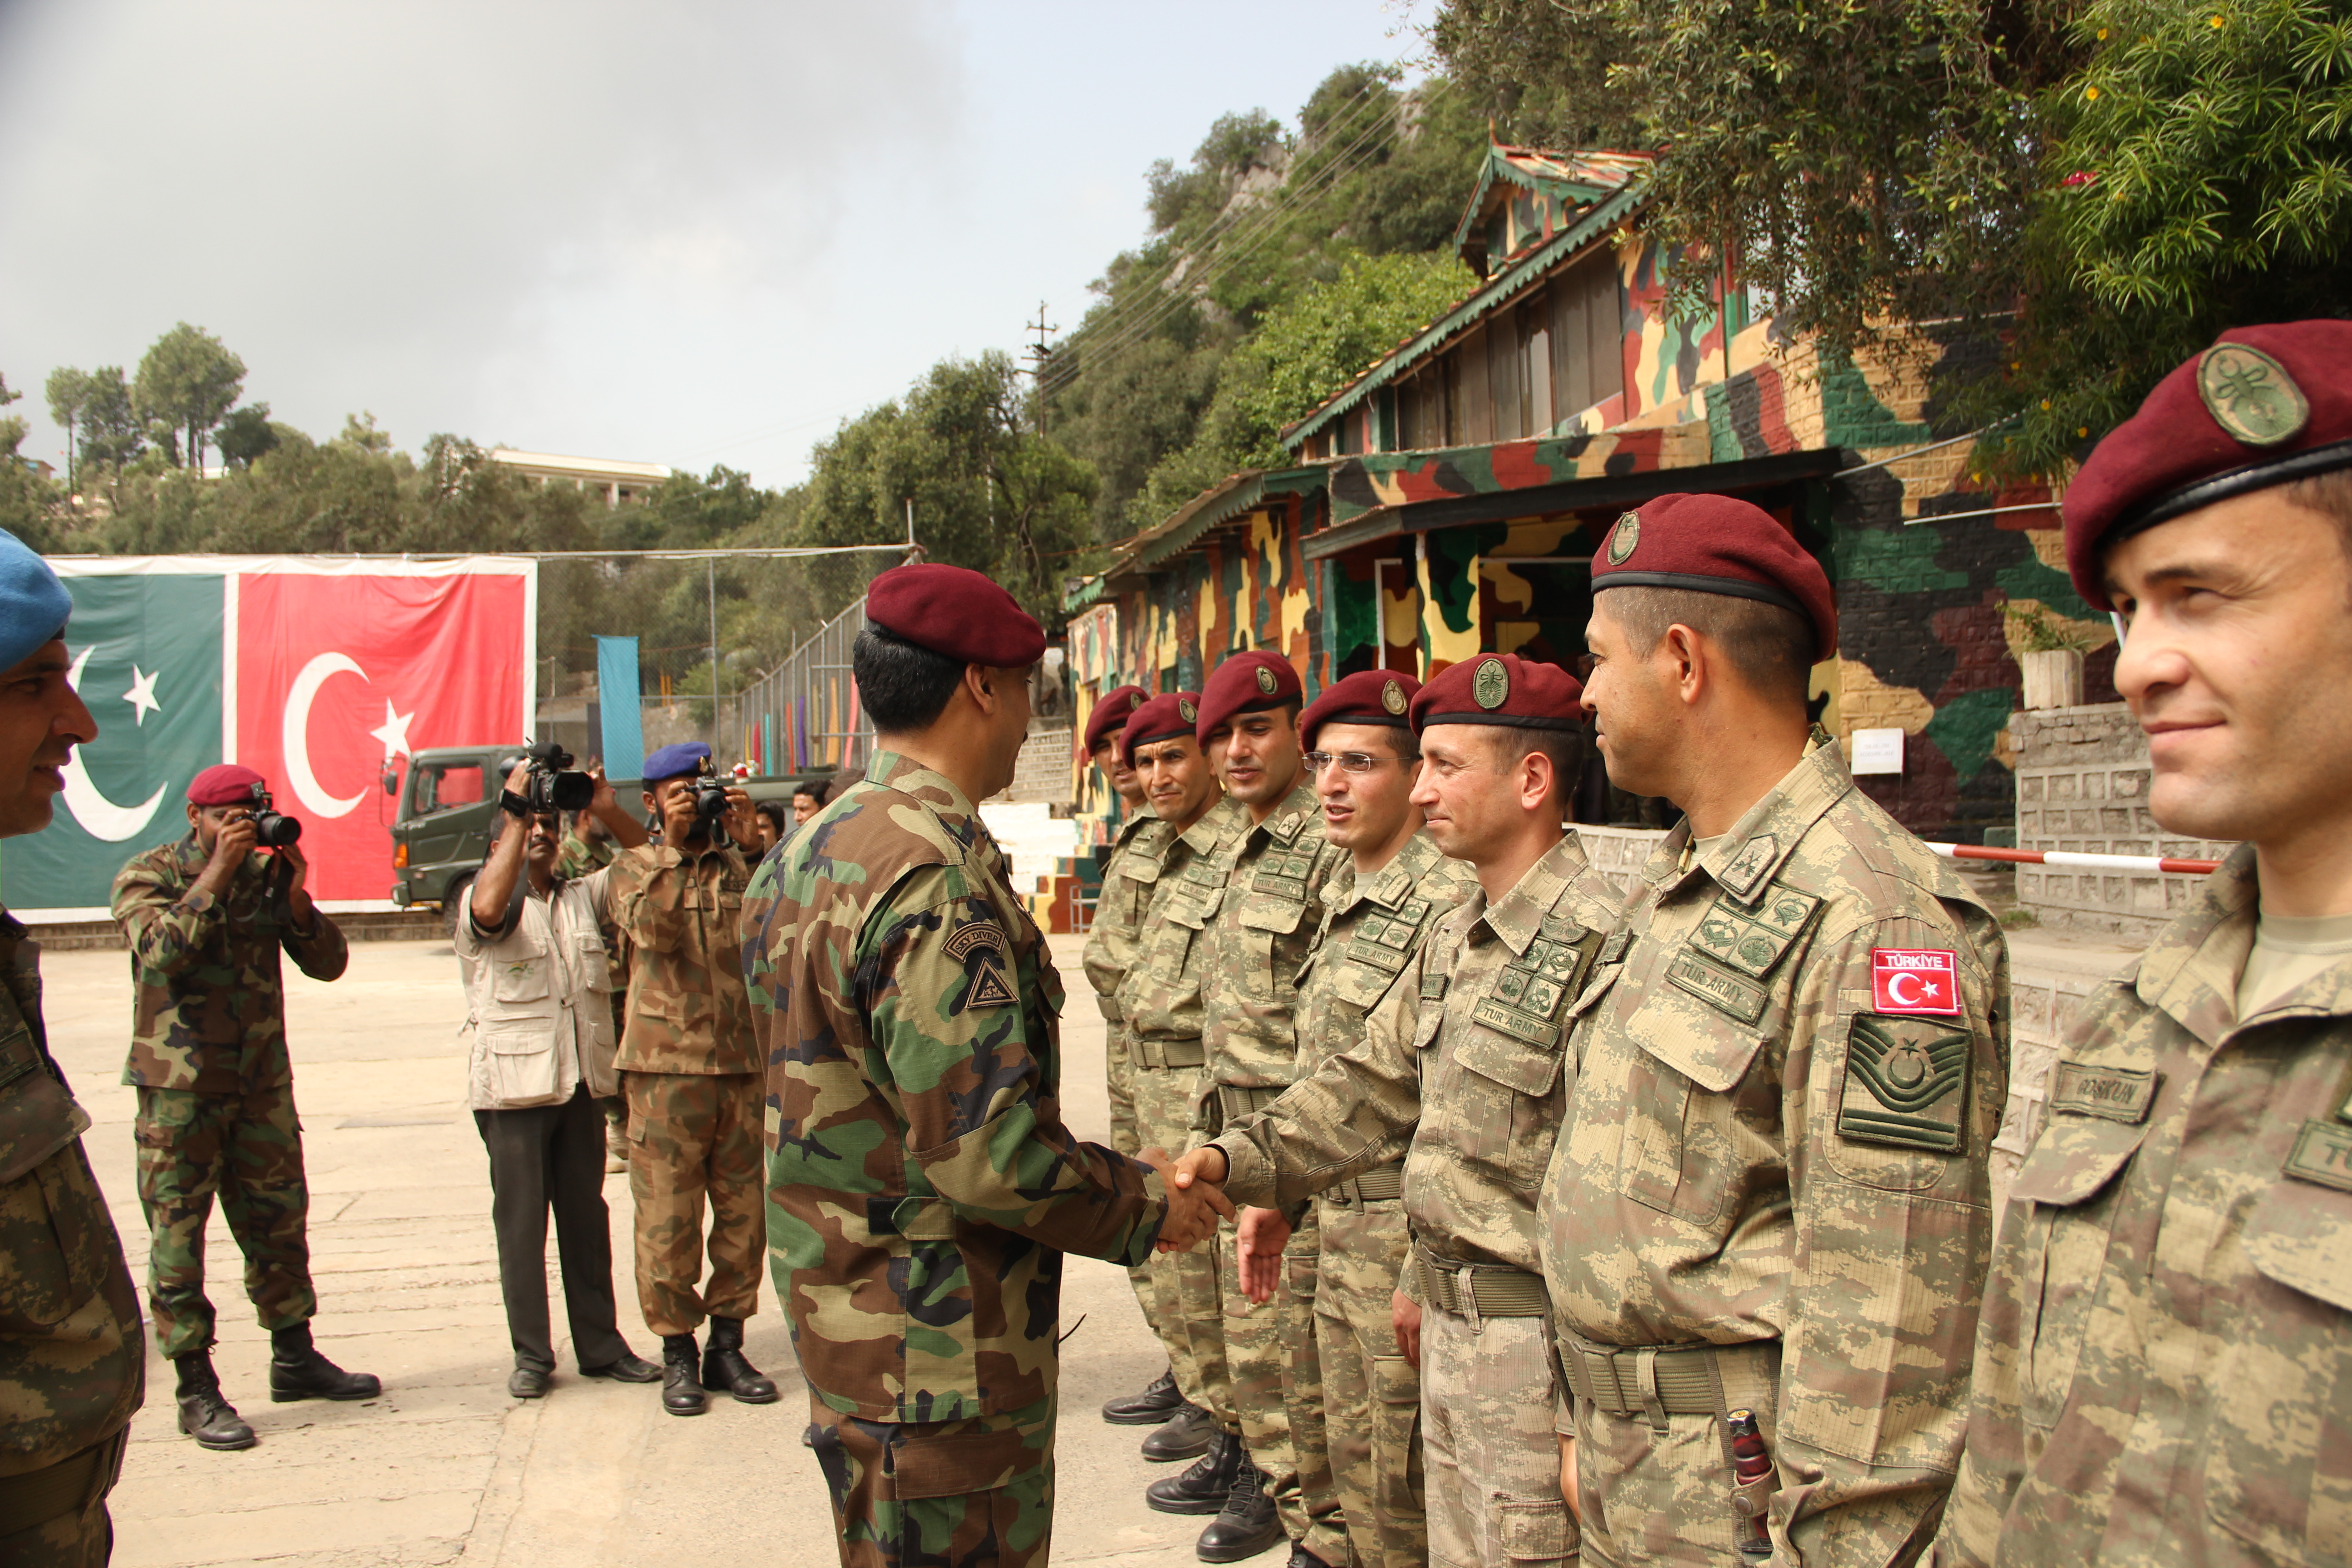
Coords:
1462,1073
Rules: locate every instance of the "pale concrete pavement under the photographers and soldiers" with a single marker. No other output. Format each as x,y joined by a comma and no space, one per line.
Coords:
446,1468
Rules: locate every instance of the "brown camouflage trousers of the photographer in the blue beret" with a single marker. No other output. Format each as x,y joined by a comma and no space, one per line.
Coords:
693,1139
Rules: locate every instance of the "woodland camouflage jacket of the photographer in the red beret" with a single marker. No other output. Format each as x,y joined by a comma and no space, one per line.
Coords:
208,1010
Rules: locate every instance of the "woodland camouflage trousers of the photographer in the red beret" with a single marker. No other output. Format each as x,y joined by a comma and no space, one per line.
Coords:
248,1151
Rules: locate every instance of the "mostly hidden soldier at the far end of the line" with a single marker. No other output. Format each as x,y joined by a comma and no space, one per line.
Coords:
1111,949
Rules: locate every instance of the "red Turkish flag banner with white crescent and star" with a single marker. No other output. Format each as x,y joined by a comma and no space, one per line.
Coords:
345,671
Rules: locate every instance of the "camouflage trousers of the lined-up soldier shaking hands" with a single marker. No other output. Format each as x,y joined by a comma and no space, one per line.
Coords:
1490,1442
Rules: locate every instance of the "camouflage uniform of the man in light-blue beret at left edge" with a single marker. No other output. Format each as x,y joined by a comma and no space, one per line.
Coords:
72,1367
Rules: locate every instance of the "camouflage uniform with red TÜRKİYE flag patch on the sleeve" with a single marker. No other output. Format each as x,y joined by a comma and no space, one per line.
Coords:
1772,1191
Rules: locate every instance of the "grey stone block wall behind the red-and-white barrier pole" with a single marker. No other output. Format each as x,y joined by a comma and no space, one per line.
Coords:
2083,786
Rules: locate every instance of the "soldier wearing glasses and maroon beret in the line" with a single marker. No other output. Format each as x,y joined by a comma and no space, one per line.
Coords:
1377,913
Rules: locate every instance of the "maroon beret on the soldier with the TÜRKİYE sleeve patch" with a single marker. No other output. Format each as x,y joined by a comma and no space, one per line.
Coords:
1718,544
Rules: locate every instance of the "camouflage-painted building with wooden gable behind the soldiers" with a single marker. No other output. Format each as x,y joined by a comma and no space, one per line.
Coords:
1448,502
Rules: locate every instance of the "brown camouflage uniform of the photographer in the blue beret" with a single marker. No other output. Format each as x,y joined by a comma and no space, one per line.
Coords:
690,1071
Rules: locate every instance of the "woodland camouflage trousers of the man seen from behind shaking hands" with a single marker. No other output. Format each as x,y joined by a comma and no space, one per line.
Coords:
956,1494
